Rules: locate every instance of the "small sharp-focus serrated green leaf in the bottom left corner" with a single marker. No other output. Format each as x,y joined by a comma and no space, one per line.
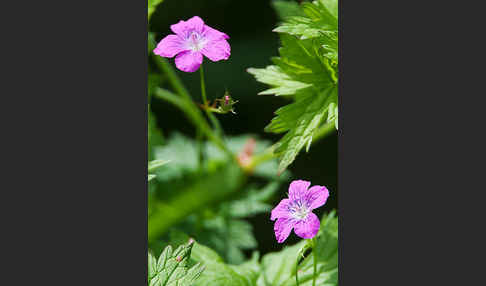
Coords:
171,269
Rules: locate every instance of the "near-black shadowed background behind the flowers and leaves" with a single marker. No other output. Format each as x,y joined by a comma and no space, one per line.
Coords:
249,25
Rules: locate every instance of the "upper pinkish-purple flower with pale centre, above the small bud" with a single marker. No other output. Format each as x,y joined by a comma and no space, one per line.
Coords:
191,41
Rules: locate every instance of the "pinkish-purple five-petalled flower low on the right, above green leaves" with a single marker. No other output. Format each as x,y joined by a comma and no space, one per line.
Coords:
296,211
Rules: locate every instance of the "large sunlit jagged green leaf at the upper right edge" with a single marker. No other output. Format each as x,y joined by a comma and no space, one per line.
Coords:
306,70
